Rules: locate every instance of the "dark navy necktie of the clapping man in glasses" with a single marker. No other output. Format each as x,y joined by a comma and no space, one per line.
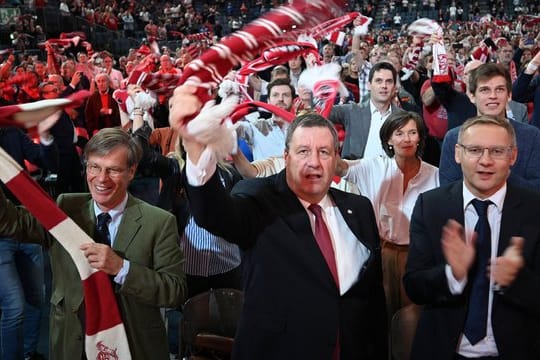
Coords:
476,323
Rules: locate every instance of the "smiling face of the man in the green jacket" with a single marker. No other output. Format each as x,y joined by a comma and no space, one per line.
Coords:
109,187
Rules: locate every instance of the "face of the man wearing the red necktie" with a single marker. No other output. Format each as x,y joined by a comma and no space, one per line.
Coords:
310,162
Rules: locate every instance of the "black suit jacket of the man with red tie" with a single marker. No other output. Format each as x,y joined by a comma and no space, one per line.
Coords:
292,307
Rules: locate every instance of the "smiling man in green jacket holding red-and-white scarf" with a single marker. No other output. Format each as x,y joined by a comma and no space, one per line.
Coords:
143,256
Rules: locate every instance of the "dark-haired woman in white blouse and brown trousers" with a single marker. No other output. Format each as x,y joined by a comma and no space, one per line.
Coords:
393,183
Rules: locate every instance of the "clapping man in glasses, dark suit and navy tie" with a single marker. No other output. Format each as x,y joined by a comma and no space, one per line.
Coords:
480,286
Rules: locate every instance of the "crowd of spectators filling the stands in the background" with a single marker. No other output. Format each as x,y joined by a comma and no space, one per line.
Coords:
59,70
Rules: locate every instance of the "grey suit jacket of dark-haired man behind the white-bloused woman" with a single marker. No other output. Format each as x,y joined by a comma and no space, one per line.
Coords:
356,120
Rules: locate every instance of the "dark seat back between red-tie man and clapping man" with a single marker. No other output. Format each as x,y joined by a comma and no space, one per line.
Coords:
403,329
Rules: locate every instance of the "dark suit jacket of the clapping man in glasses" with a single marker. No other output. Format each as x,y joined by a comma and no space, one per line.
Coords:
516,309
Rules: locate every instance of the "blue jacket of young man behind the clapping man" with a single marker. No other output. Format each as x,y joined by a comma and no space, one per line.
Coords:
525,172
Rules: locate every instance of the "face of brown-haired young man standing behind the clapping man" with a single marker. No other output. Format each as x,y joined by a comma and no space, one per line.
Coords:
491,96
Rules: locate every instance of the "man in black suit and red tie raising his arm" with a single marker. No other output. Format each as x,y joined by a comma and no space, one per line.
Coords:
301,302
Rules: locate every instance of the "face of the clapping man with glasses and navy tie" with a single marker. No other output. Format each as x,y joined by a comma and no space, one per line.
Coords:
485,175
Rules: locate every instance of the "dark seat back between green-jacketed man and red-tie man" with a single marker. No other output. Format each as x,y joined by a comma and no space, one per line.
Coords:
209,322
